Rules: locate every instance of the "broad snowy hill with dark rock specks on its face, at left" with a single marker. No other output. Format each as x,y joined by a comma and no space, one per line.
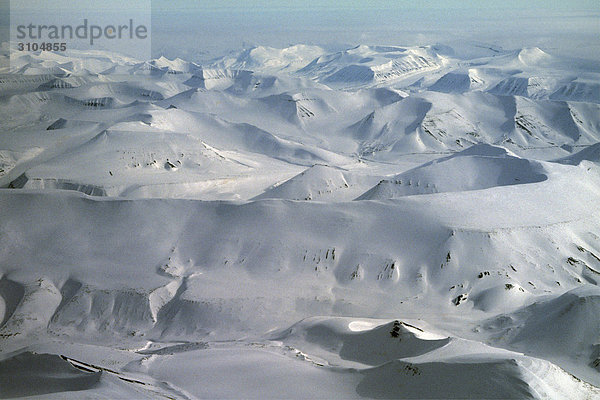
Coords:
126,161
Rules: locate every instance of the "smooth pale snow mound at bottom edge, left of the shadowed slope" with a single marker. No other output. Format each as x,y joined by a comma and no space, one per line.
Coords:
252,371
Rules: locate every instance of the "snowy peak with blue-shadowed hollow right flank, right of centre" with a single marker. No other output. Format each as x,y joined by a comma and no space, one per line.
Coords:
479,167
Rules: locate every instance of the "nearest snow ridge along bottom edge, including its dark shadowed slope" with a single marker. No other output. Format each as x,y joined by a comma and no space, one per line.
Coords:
286,371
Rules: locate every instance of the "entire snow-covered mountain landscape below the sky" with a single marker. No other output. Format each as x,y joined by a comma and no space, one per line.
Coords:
380,222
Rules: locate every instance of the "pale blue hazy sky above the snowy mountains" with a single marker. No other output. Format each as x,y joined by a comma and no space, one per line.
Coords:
203,29
